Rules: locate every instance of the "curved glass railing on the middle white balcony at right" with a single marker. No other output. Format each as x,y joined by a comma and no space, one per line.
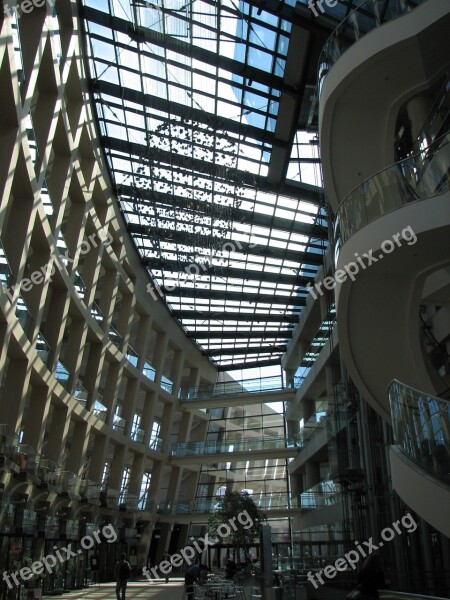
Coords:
418,177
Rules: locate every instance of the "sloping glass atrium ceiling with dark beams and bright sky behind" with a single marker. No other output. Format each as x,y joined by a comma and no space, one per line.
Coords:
188,96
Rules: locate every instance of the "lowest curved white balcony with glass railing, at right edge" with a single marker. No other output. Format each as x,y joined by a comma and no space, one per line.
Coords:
420,460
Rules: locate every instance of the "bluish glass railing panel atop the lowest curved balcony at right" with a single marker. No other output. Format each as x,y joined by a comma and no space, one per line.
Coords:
421,425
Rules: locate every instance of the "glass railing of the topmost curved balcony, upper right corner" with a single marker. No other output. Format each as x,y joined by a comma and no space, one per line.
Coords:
366,17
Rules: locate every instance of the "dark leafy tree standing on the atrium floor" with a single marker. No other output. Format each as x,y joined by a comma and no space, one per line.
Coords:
237,522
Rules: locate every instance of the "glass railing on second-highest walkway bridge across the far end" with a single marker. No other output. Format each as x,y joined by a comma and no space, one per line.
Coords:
230,446
